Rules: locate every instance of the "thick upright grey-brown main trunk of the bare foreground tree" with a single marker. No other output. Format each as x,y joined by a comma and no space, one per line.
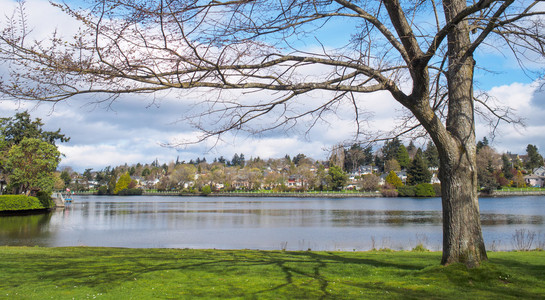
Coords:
462,236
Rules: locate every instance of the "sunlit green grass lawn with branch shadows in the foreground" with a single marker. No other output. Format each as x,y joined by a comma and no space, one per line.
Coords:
117,273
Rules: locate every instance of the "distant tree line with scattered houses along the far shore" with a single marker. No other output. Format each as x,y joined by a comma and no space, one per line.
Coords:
394,168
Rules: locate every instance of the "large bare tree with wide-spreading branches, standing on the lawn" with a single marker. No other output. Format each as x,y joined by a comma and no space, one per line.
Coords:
420,52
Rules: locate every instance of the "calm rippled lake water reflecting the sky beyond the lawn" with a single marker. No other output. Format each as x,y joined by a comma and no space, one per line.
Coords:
264,223
